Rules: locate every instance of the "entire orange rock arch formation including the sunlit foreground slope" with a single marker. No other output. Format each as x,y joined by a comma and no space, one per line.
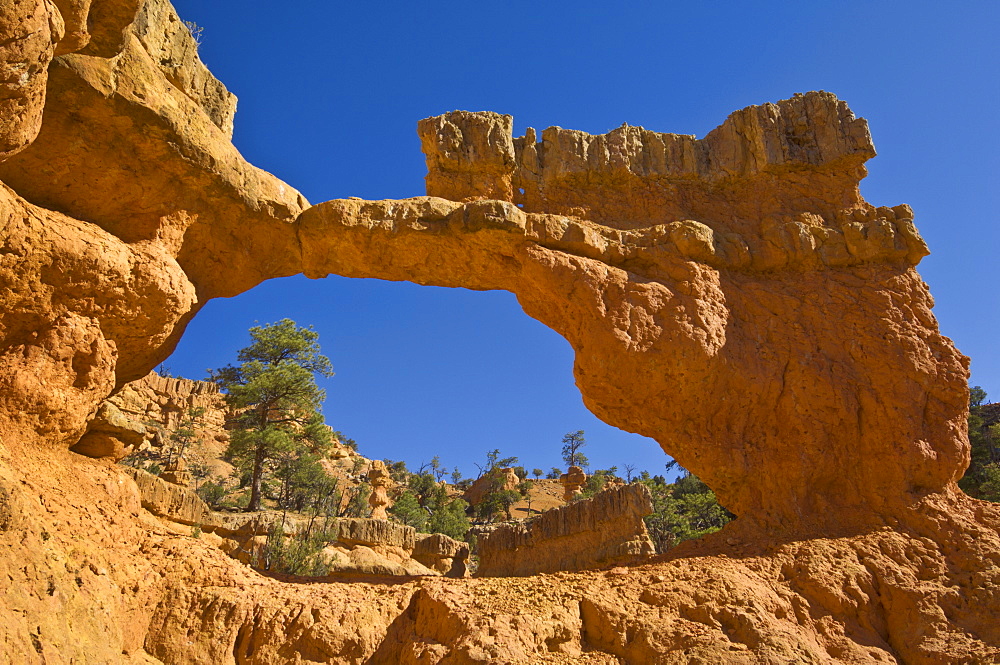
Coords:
744,266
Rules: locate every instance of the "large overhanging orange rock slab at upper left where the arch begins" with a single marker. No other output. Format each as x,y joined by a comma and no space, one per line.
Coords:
88,153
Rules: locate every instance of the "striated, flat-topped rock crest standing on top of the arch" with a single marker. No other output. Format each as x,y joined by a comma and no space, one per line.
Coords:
809,150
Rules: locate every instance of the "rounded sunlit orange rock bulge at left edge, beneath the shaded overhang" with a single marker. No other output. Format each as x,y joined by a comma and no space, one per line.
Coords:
73,297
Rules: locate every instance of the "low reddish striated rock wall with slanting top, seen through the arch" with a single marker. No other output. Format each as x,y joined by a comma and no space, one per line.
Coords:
605,530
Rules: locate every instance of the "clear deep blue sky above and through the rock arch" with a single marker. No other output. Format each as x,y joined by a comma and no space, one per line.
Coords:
330,93
